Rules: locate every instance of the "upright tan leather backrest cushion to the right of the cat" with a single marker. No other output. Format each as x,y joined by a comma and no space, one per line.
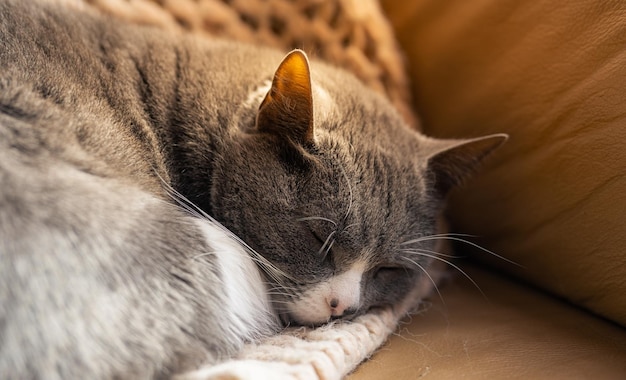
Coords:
553,76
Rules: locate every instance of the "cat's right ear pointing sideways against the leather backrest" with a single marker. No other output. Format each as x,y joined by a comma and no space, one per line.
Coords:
452,161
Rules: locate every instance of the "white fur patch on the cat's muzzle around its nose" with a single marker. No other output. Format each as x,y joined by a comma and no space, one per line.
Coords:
330,298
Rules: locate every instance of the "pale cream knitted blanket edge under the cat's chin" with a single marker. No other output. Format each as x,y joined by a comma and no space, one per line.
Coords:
326,353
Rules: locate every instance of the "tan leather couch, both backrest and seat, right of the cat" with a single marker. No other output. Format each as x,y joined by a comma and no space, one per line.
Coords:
552,74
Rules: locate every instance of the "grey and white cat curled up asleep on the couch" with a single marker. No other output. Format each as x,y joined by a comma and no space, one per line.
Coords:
165,199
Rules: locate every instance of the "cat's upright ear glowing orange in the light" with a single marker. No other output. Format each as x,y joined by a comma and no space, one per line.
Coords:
287,110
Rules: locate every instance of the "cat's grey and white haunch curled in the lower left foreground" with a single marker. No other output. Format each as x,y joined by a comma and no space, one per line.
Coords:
101,279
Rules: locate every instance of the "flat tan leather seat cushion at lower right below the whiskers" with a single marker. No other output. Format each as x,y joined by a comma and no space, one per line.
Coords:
510,332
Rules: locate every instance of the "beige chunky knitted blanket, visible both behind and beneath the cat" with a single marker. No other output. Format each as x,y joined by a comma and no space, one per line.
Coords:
352,34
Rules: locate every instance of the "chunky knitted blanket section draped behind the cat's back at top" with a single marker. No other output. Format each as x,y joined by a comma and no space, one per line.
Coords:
352,34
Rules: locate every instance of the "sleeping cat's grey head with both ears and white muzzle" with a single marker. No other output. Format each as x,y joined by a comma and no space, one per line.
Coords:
338,194
